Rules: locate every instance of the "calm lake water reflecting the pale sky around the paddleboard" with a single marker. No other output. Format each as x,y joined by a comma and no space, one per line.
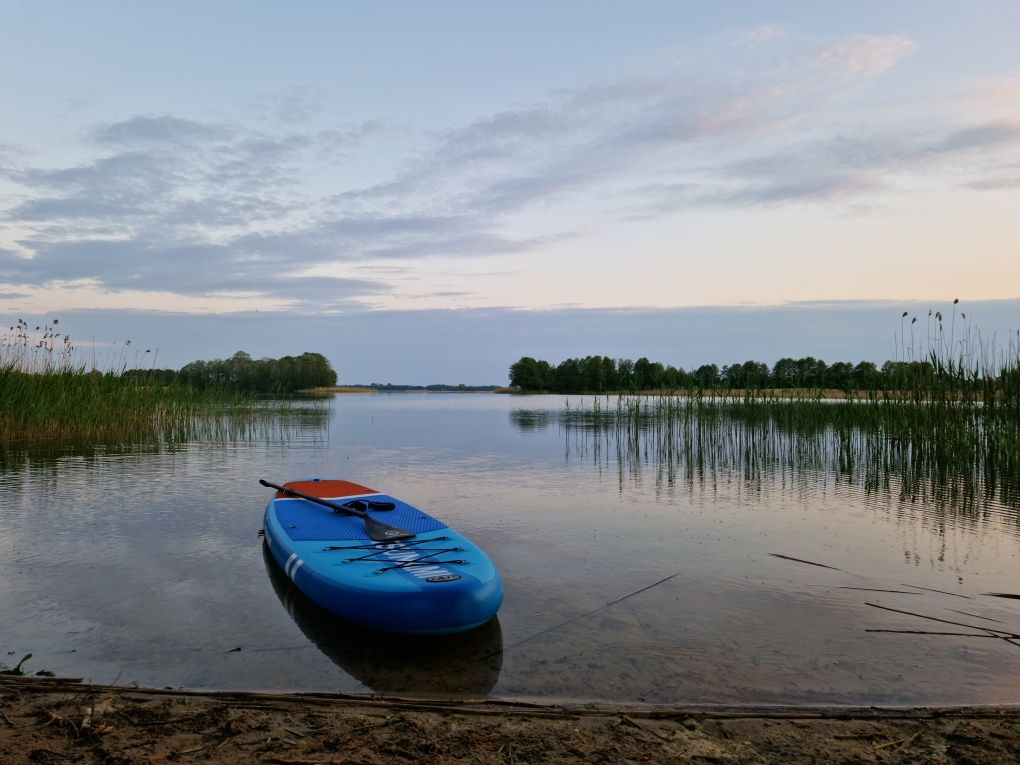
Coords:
143,566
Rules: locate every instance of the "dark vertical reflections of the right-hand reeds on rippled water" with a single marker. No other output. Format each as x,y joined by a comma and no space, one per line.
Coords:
699,444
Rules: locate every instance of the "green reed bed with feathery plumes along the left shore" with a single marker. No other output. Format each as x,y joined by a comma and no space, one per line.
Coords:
48,395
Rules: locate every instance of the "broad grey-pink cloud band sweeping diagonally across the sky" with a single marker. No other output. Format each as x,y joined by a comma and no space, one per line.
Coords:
213,207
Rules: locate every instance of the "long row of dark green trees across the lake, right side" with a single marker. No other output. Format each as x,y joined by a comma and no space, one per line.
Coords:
601,374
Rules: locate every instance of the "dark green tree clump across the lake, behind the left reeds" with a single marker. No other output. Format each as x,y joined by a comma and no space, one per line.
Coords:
242,373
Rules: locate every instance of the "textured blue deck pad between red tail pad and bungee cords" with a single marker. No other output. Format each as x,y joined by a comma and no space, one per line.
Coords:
308,522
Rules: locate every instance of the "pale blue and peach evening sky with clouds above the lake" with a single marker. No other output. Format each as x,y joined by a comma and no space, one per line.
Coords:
426,192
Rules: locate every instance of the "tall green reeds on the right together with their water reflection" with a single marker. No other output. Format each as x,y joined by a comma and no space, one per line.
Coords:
949,434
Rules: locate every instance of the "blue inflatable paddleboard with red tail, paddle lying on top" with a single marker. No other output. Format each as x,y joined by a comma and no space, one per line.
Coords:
379,562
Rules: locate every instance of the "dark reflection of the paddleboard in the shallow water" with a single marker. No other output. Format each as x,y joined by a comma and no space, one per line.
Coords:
466,665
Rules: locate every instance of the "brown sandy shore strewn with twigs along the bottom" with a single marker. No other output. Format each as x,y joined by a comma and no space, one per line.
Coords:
55,722
